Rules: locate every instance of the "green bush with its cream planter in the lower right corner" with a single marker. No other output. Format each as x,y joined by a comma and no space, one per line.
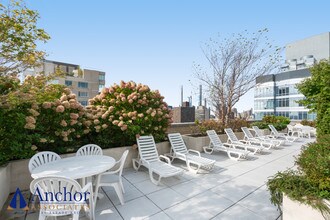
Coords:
309,184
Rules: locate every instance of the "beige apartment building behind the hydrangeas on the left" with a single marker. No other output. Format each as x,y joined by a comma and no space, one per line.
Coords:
85,83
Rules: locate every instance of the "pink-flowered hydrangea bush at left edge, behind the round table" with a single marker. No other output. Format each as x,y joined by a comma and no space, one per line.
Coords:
36,116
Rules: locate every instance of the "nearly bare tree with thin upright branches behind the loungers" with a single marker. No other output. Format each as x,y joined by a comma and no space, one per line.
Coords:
235,63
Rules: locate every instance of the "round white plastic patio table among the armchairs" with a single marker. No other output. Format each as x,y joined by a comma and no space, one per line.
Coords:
75,167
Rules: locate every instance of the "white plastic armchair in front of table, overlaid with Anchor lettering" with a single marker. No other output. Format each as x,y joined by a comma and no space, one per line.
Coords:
62,187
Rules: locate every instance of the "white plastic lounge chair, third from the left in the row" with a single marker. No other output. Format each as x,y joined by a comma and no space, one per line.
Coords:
217,145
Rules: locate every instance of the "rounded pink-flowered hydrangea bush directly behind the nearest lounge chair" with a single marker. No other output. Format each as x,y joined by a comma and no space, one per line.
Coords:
123,112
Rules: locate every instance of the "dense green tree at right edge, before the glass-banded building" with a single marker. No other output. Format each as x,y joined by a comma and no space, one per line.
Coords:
316,89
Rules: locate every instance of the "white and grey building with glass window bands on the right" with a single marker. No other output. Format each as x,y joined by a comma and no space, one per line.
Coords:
276,94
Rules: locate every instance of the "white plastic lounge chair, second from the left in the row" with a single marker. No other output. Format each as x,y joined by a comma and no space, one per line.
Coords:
179,150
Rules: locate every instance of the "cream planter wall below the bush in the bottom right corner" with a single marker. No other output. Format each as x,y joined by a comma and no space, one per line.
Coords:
293,210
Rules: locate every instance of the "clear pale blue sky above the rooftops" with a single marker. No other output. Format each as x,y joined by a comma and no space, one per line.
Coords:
157,42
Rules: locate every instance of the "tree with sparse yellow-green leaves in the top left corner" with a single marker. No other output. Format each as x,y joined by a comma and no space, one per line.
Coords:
19,35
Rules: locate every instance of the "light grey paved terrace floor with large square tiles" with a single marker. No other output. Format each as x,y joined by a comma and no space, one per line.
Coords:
232,190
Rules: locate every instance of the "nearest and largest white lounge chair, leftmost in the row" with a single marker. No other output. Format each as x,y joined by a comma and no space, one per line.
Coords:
148,157
